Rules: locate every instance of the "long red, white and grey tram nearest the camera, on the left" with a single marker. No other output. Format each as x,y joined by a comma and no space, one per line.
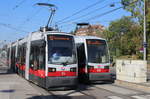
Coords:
47,58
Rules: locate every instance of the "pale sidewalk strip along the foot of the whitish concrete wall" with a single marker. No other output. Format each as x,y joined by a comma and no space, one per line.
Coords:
138,86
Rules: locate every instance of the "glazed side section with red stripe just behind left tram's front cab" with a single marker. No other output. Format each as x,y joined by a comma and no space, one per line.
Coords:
37,63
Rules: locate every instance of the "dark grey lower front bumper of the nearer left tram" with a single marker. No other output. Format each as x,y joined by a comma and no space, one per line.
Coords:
52,82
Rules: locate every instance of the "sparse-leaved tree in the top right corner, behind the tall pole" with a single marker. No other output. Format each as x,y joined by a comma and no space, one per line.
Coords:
136,10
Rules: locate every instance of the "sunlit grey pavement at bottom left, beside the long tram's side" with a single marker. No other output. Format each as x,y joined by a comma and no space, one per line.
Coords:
13,86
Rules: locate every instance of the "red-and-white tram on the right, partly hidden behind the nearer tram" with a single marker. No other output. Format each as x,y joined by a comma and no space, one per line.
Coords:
93,59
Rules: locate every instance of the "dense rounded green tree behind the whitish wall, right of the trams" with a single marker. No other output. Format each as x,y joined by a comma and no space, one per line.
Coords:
124,37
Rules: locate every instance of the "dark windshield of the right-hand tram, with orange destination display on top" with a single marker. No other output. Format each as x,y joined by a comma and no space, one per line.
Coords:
97,51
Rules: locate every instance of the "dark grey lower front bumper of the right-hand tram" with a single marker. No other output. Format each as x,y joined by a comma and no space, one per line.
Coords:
100,76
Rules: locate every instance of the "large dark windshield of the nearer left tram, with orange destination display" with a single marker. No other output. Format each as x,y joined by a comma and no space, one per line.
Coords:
61,49
